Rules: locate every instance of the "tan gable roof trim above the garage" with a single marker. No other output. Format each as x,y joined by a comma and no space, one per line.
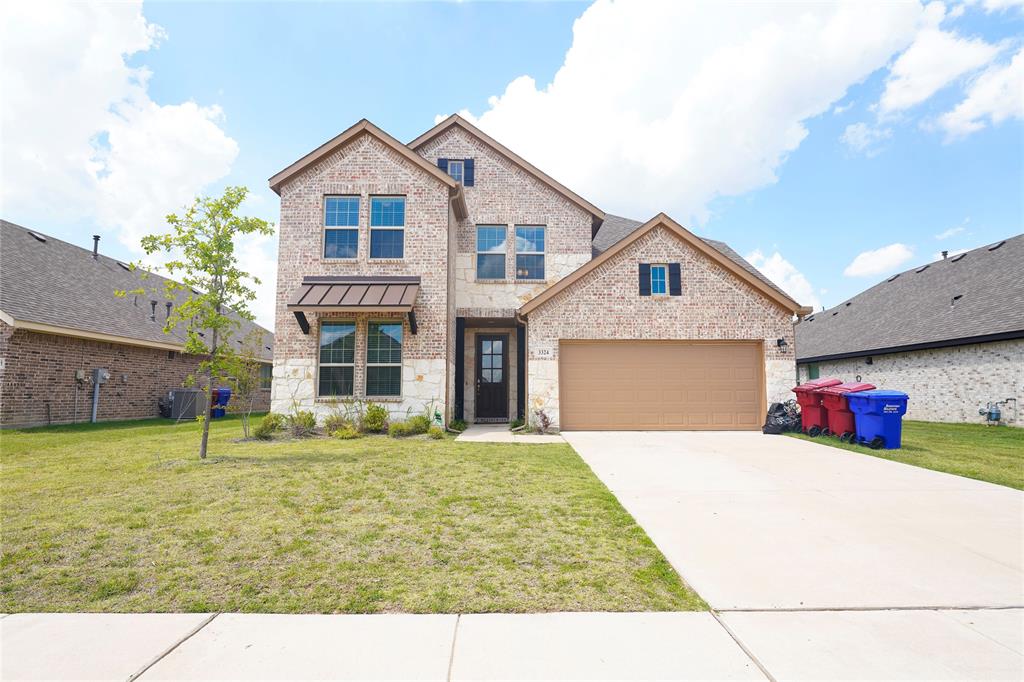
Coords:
662,221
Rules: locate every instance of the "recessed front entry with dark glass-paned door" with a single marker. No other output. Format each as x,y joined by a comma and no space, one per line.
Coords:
490,370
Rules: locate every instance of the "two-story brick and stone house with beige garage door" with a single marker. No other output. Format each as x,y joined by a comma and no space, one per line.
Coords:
449,274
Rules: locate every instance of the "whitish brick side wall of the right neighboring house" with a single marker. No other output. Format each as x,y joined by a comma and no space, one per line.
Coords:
945,385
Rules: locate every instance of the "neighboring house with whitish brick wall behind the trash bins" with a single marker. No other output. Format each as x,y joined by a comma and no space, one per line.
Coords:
951,334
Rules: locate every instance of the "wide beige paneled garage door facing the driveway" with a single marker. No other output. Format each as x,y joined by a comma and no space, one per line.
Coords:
661,386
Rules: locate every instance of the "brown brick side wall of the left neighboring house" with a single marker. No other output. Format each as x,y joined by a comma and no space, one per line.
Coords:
38,386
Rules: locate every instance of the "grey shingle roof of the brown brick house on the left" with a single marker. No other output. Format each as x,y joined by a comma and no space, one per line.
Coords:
51,286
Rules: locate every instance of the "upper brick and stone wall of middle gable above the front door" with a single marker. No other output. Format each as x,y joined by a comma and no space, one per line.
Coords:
505,195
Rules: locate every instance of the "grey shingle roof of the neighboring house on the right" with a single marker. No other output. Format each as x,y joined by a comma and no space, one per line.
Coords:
969,299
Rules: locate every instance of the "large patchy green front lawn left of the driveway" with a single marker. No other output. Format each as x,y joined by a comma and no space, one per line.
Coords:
124,518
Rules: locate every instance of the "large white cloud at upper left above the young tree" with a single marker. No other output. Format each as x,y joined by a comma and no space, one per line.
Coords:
82,137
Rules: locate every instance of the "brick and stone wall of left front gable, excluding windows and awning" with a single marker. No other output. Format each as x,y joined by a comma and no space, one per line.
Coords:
365,167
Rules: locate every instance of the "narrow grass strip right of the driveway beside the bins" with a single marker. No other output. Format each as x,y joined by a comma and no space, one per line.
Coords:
995,454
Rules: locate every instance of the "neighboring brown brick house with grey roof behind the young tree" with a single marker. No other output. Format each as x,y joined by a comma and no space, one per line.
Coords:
60,321
